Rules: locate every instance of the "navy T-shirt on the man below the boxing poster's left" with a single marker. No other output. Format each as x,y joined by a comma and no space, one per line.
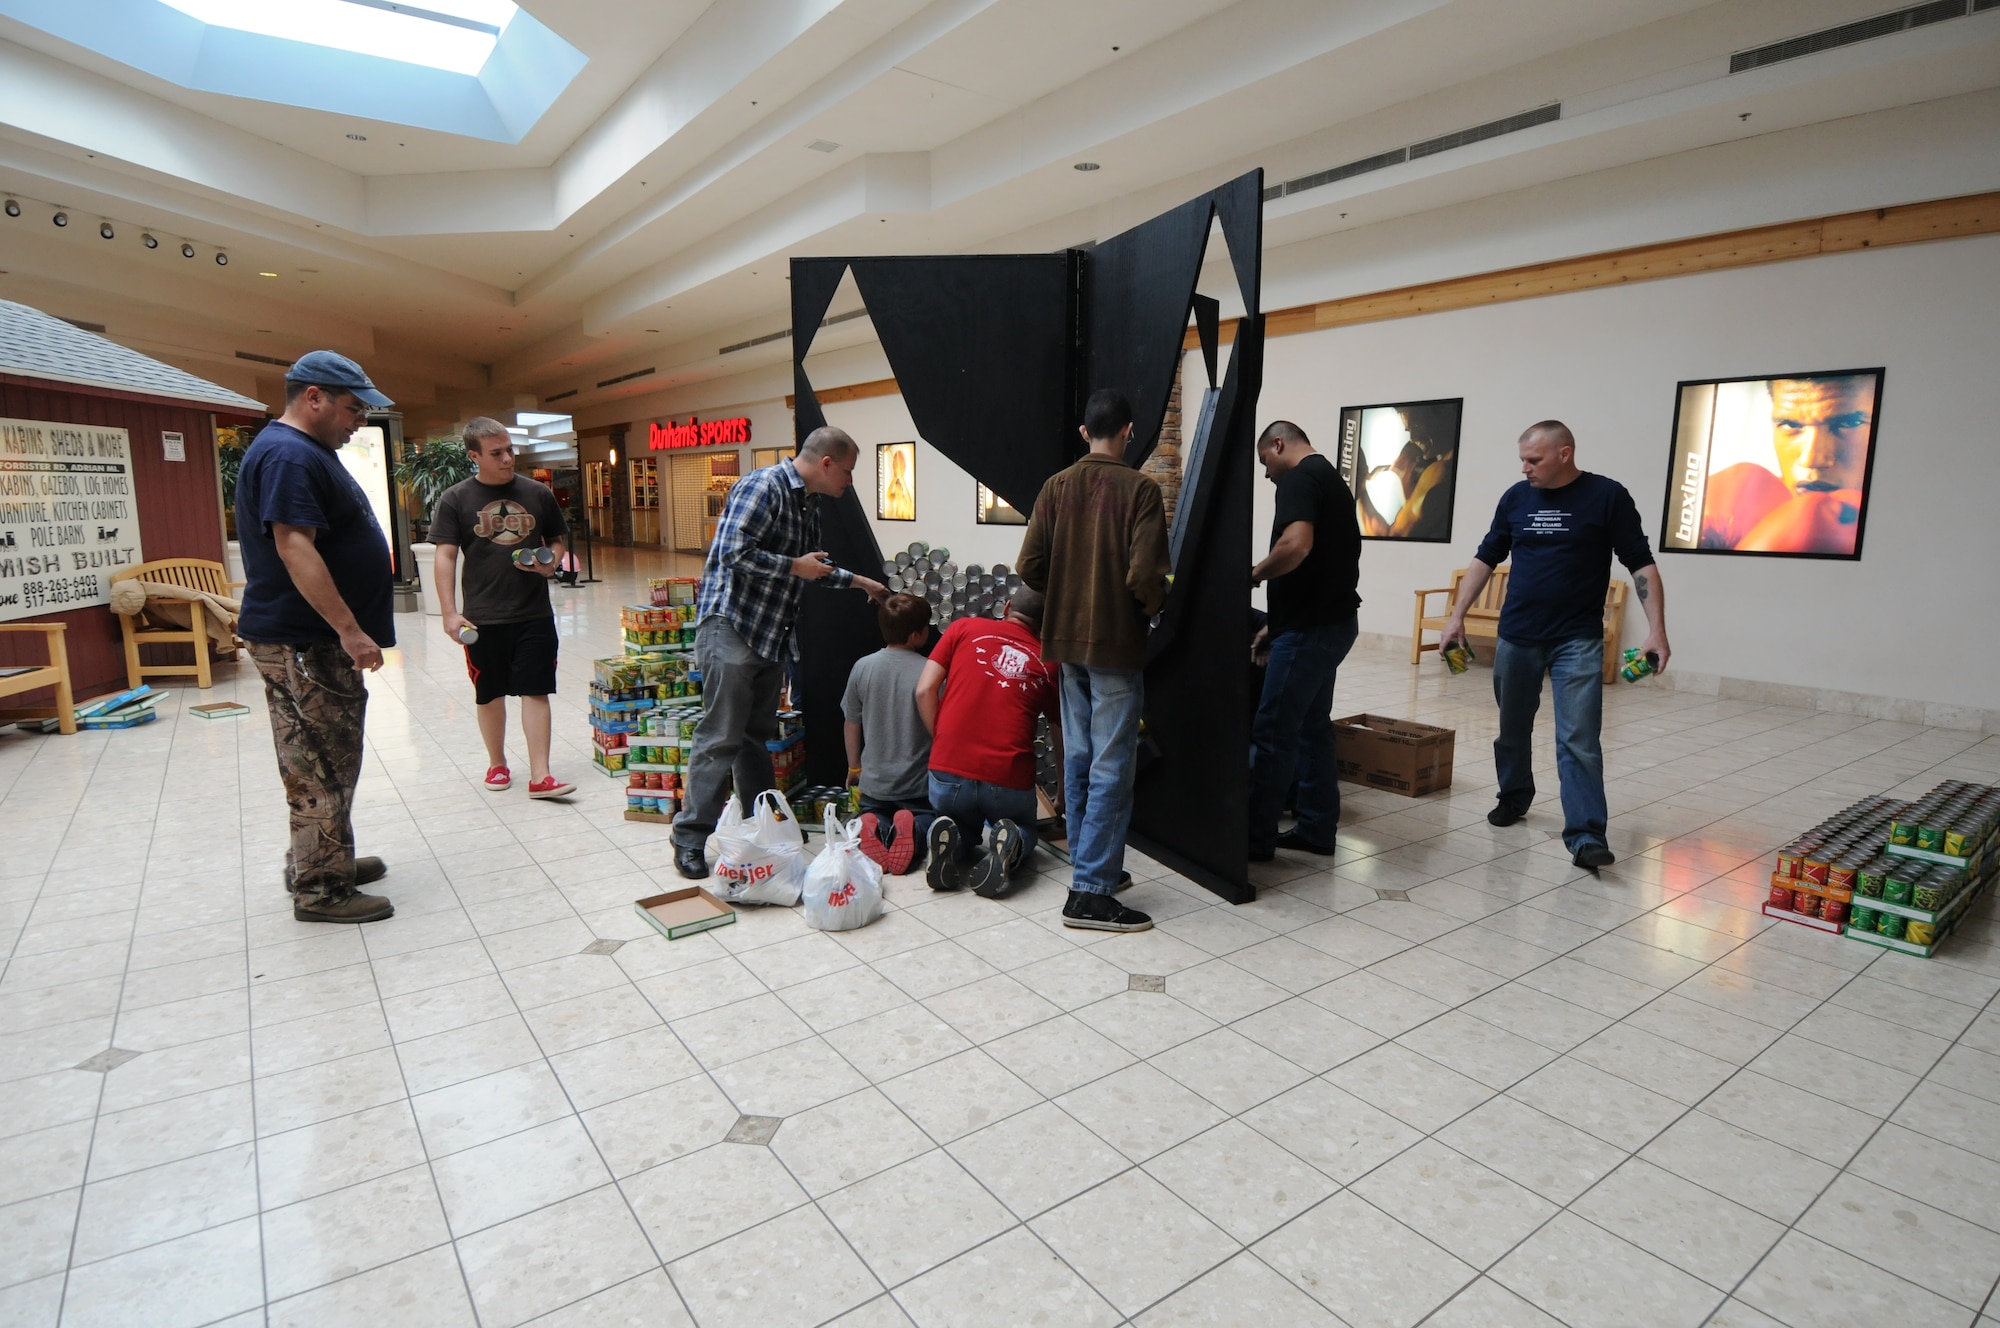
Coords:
1563,543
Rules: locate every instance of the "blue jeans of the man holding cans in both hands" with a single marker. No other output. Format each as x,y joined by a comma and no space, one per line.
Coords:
1577,677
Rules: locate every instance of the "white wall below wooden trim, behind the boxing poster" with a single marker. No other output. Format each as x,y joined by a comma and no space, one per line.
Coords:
1913,619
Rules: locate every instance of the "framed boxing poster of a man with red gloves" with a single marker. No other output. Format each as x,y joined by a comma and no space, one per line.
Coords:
1773,467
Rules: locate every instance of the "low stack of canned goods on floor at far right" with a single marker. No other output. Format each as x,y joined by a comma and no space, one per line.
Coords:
1891,873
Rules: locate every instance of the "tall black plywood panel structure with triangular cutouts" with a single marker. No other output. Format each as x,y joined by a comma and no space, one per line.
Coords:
995,357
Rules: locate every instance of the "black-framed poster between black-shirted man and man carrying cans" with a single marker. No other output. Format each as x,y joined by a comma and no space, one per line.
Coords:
1401,461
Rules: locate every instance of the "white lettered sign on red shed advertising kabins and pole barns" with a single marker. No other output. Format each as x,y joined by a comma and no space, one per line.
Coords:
69,515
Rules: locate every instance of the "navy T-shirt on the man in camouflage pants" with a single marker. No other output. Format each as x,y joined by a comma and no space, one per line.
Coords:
291,479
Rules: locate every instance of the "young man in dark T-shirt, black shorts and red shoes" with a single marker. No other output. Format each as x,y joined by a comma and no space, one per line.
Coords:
495,517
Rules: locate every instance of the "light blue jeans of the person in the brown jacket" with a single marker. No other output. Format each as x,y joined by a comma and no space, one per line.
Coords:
1101,711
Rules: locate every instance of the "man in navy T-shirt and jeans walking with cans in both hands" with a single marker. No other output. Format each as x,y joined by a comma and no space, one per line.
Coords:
1561,525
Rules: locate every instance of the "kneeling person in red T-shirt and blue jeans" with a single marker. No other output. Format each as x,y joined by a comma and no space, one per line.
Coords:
995,687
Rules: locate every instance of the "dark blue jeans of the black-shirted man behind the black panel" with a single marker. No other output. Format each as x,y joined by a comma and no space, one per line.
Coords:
1293,735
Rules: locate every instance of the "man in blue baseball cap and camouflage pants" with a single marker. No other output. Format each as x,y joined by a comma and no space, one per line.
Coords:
317,611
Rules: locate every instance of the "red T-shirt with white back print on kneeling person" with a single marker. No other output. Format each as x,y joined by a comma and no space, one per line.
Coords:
995,689
